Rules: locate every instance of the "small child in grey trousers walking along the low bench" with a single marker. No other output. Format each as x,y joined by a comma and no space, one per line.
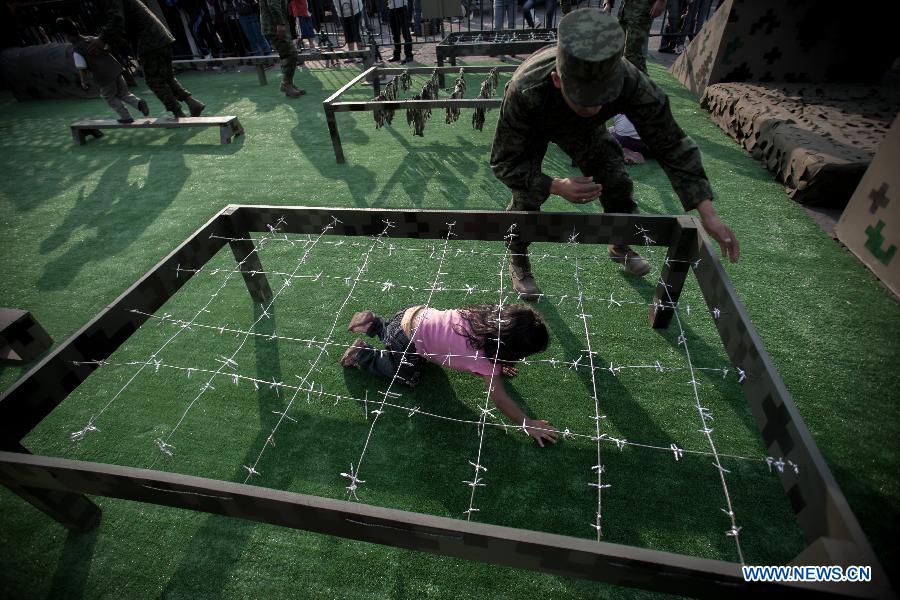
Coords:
107,73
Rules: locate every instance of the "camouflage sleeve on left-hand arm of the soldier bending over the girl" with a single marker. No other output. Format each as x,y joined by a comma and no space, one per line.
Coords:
516,153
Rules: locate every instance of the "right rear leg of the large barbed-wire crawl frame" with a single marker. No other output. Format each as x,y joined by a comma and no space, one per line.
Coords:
673,272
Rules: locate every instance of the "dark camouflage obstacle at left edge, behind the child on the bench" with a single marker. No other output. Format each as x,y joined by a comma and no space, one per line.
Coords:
41,72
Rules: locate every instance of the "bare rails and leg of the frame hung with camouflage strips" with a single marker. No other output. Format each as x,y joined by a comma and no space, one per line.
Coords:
374,75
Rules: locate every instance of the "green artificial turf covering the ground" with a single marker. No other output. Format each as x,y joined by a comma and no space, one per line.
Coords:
82,223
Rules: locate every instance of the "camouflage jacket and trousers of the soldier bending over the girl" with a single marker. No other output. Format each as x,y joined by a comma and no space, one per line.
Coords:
534,113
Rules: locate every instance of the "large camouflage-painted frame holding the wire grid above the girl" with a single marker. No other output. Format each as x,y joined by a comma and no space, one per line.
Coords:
57,486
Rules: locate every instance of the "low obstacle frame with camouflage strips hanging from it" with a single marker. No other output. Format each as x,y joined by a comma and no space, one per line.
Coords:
419,106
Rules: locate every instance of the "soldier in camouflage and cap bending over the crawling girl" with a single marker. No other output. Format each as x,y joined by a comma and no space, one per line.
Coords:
565,94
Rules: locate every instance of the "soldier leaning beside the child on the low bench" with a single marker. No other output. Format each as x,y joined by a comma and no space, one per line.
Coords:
130,21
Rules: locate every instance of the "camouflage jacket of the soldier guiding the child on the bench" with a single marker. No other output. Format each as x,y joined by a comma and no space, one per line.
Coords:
130,21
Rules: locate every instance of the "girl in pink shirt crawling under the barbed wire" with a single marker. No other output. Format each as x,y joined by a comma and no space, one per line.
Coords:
463,339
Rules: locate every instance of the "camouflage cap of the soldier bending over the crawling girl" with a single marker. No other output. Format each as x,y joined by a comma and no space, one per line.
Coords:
589,56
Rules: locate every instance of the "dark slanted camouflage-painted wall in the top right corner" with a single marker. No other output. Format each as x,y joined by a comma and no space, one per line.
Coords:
793,41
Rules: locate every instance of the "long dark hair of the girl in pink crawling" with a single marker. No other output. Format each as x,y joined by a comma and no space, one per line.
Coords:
522,331
